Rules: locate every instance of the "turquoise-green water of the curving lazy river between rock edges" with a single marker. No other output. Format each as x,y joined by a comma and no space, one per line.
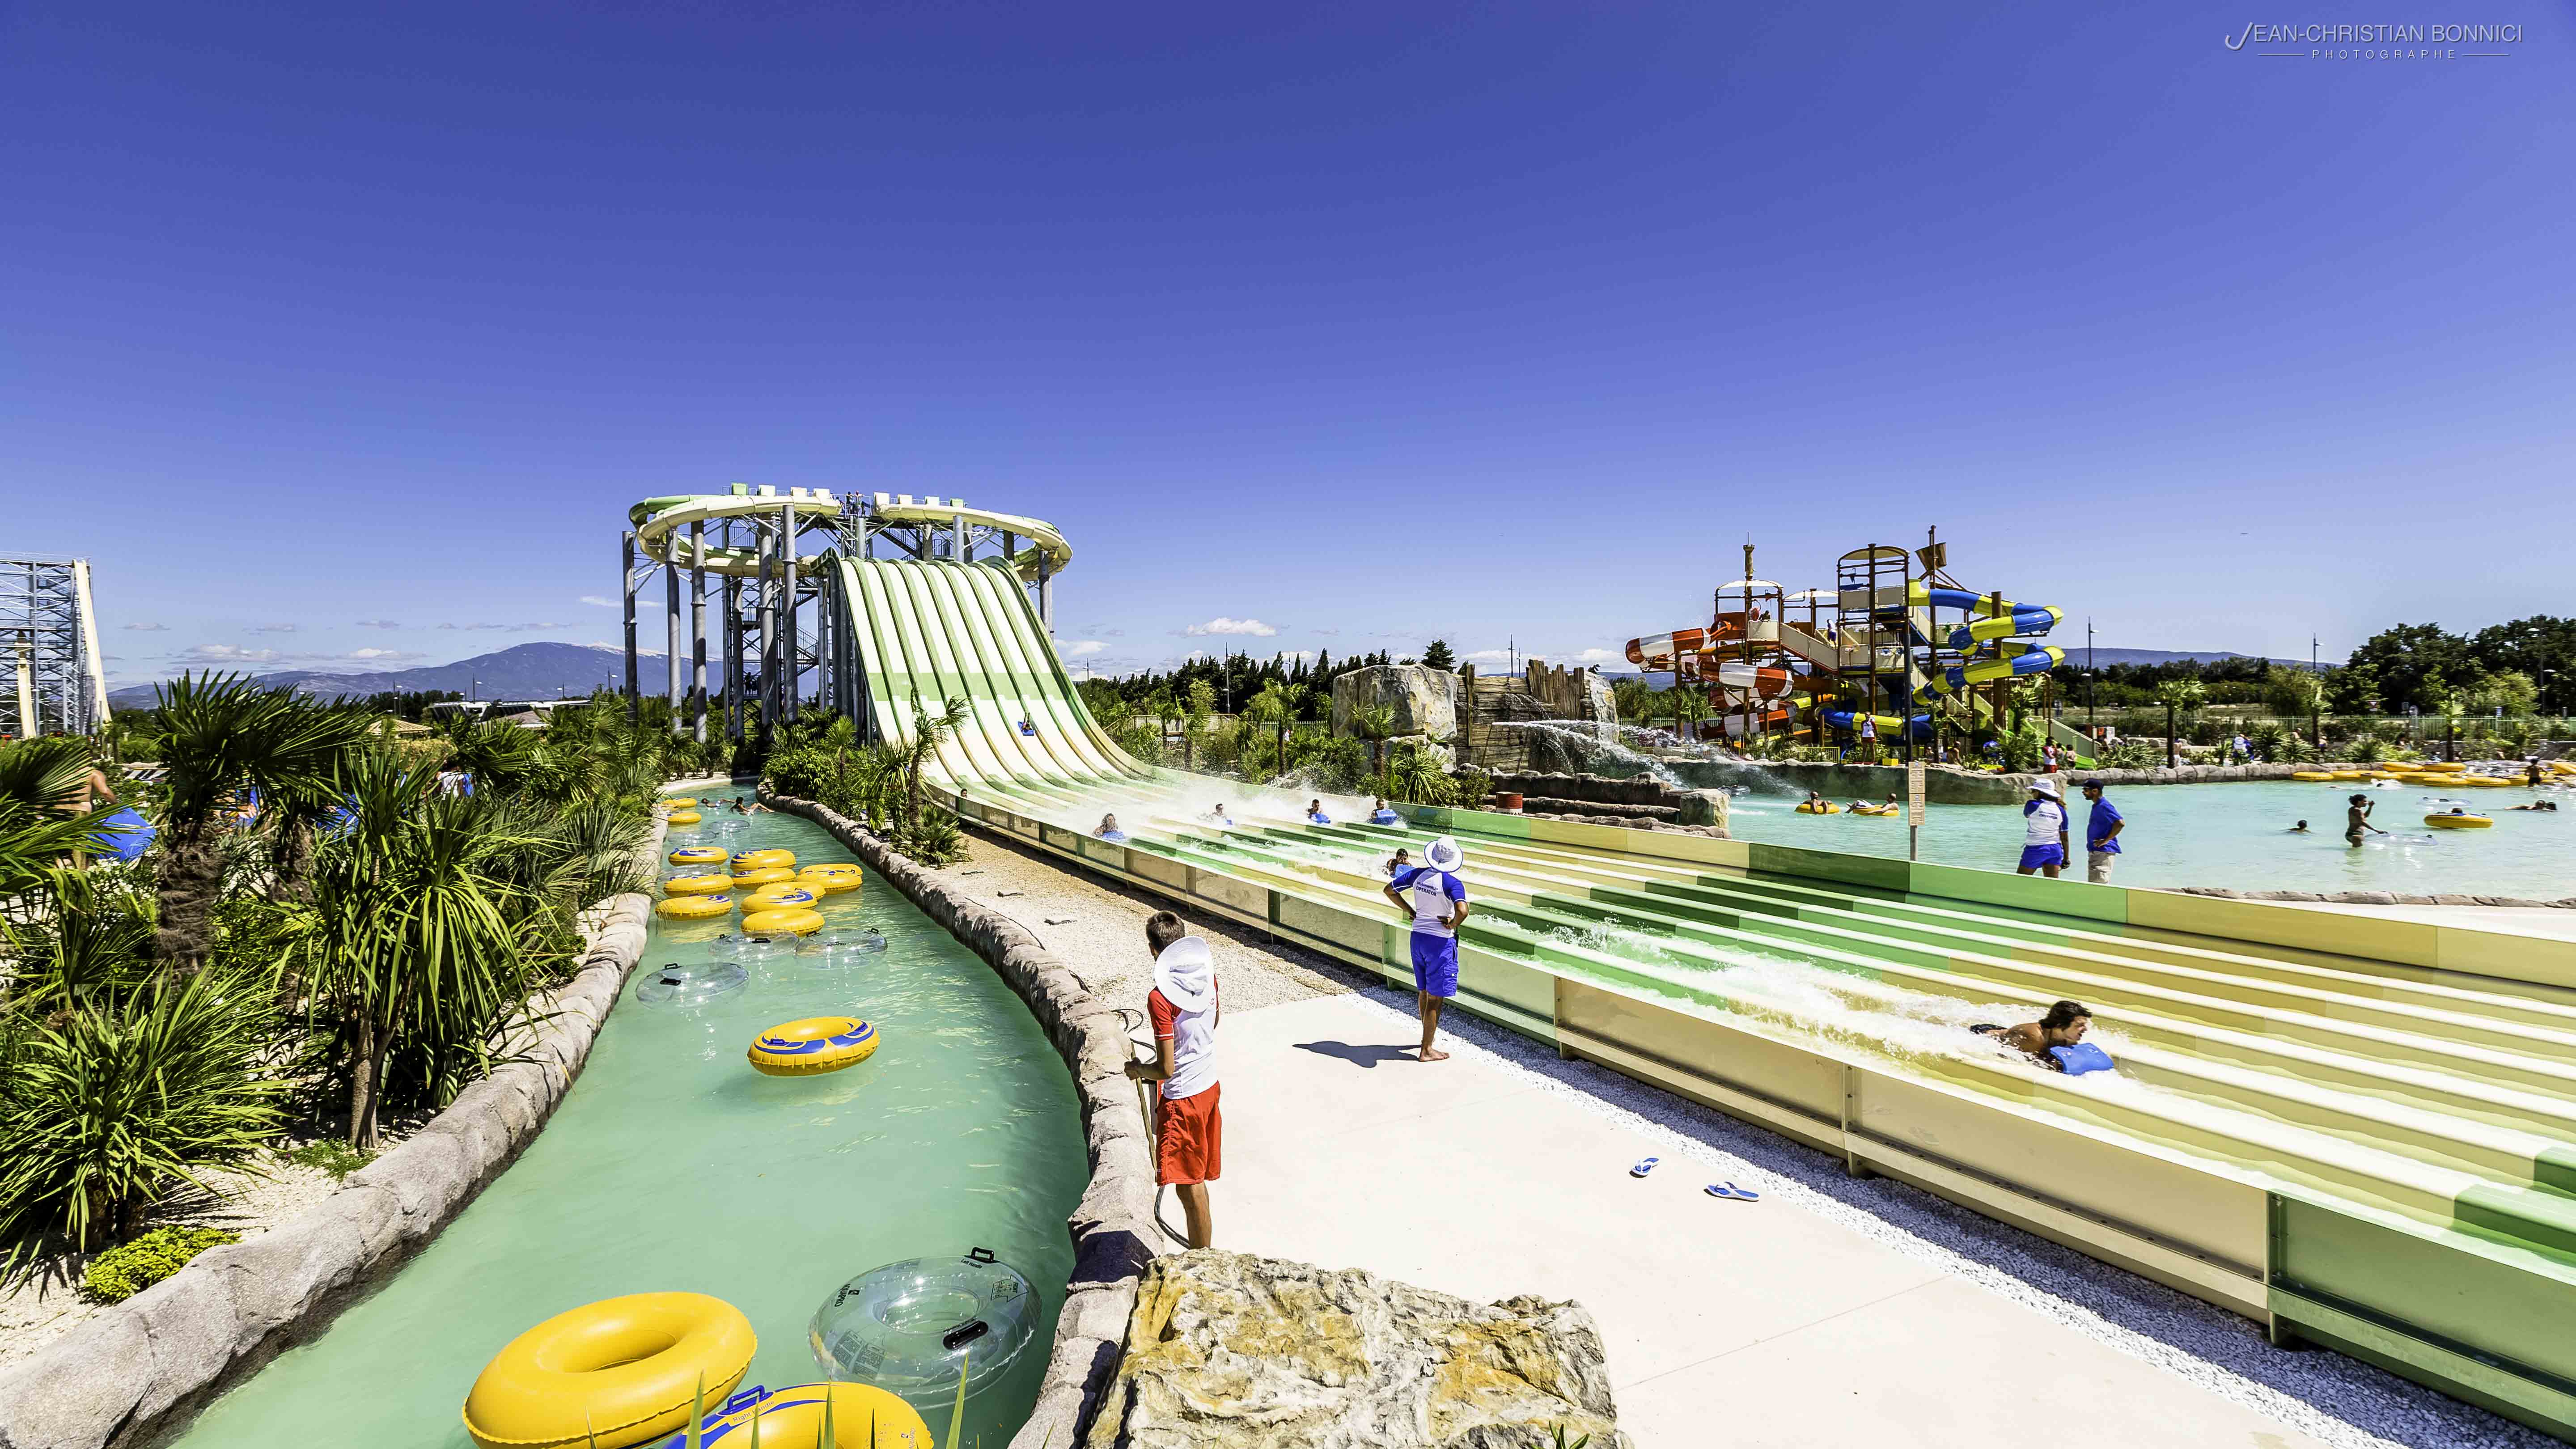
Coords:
676,1167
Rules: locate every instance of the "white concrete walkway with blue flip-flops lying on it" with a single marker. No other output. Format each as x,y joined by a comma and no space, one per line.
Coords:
1727,1324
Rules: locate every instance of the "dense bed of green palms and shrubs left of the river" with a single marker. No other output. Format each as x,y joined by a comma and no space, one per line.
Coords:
318,937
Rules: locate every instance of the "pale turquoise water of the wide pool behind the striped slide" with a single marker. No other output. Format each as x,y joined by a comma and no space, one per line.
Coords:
2237,837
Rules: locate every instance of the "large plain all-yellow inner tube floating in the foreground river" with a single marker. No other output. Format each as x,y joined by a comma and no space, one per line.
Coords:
612,1373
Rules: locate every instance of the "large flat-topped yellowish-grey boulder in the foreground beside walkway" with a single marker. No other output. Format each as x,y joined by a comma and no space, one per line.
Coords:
1238,1352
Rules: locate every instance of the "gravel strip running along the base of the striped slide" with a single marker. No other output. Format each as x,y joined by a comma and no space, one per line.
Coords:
2330,1396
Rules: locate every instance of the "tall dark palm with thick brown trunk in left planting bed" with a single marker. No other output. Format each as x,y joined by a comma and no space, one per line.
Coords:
228,736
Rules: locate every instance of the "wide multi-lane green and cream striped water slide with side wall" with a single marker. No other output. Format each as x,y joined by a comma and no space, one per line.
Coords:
2361,1133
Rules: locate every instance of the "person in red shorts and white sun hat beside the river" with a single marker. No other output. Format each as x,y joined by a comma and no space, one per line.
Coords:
1189,1131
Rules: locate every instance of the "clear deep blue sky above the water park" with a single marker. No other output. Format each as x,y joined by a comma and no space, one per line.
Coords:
341,334
